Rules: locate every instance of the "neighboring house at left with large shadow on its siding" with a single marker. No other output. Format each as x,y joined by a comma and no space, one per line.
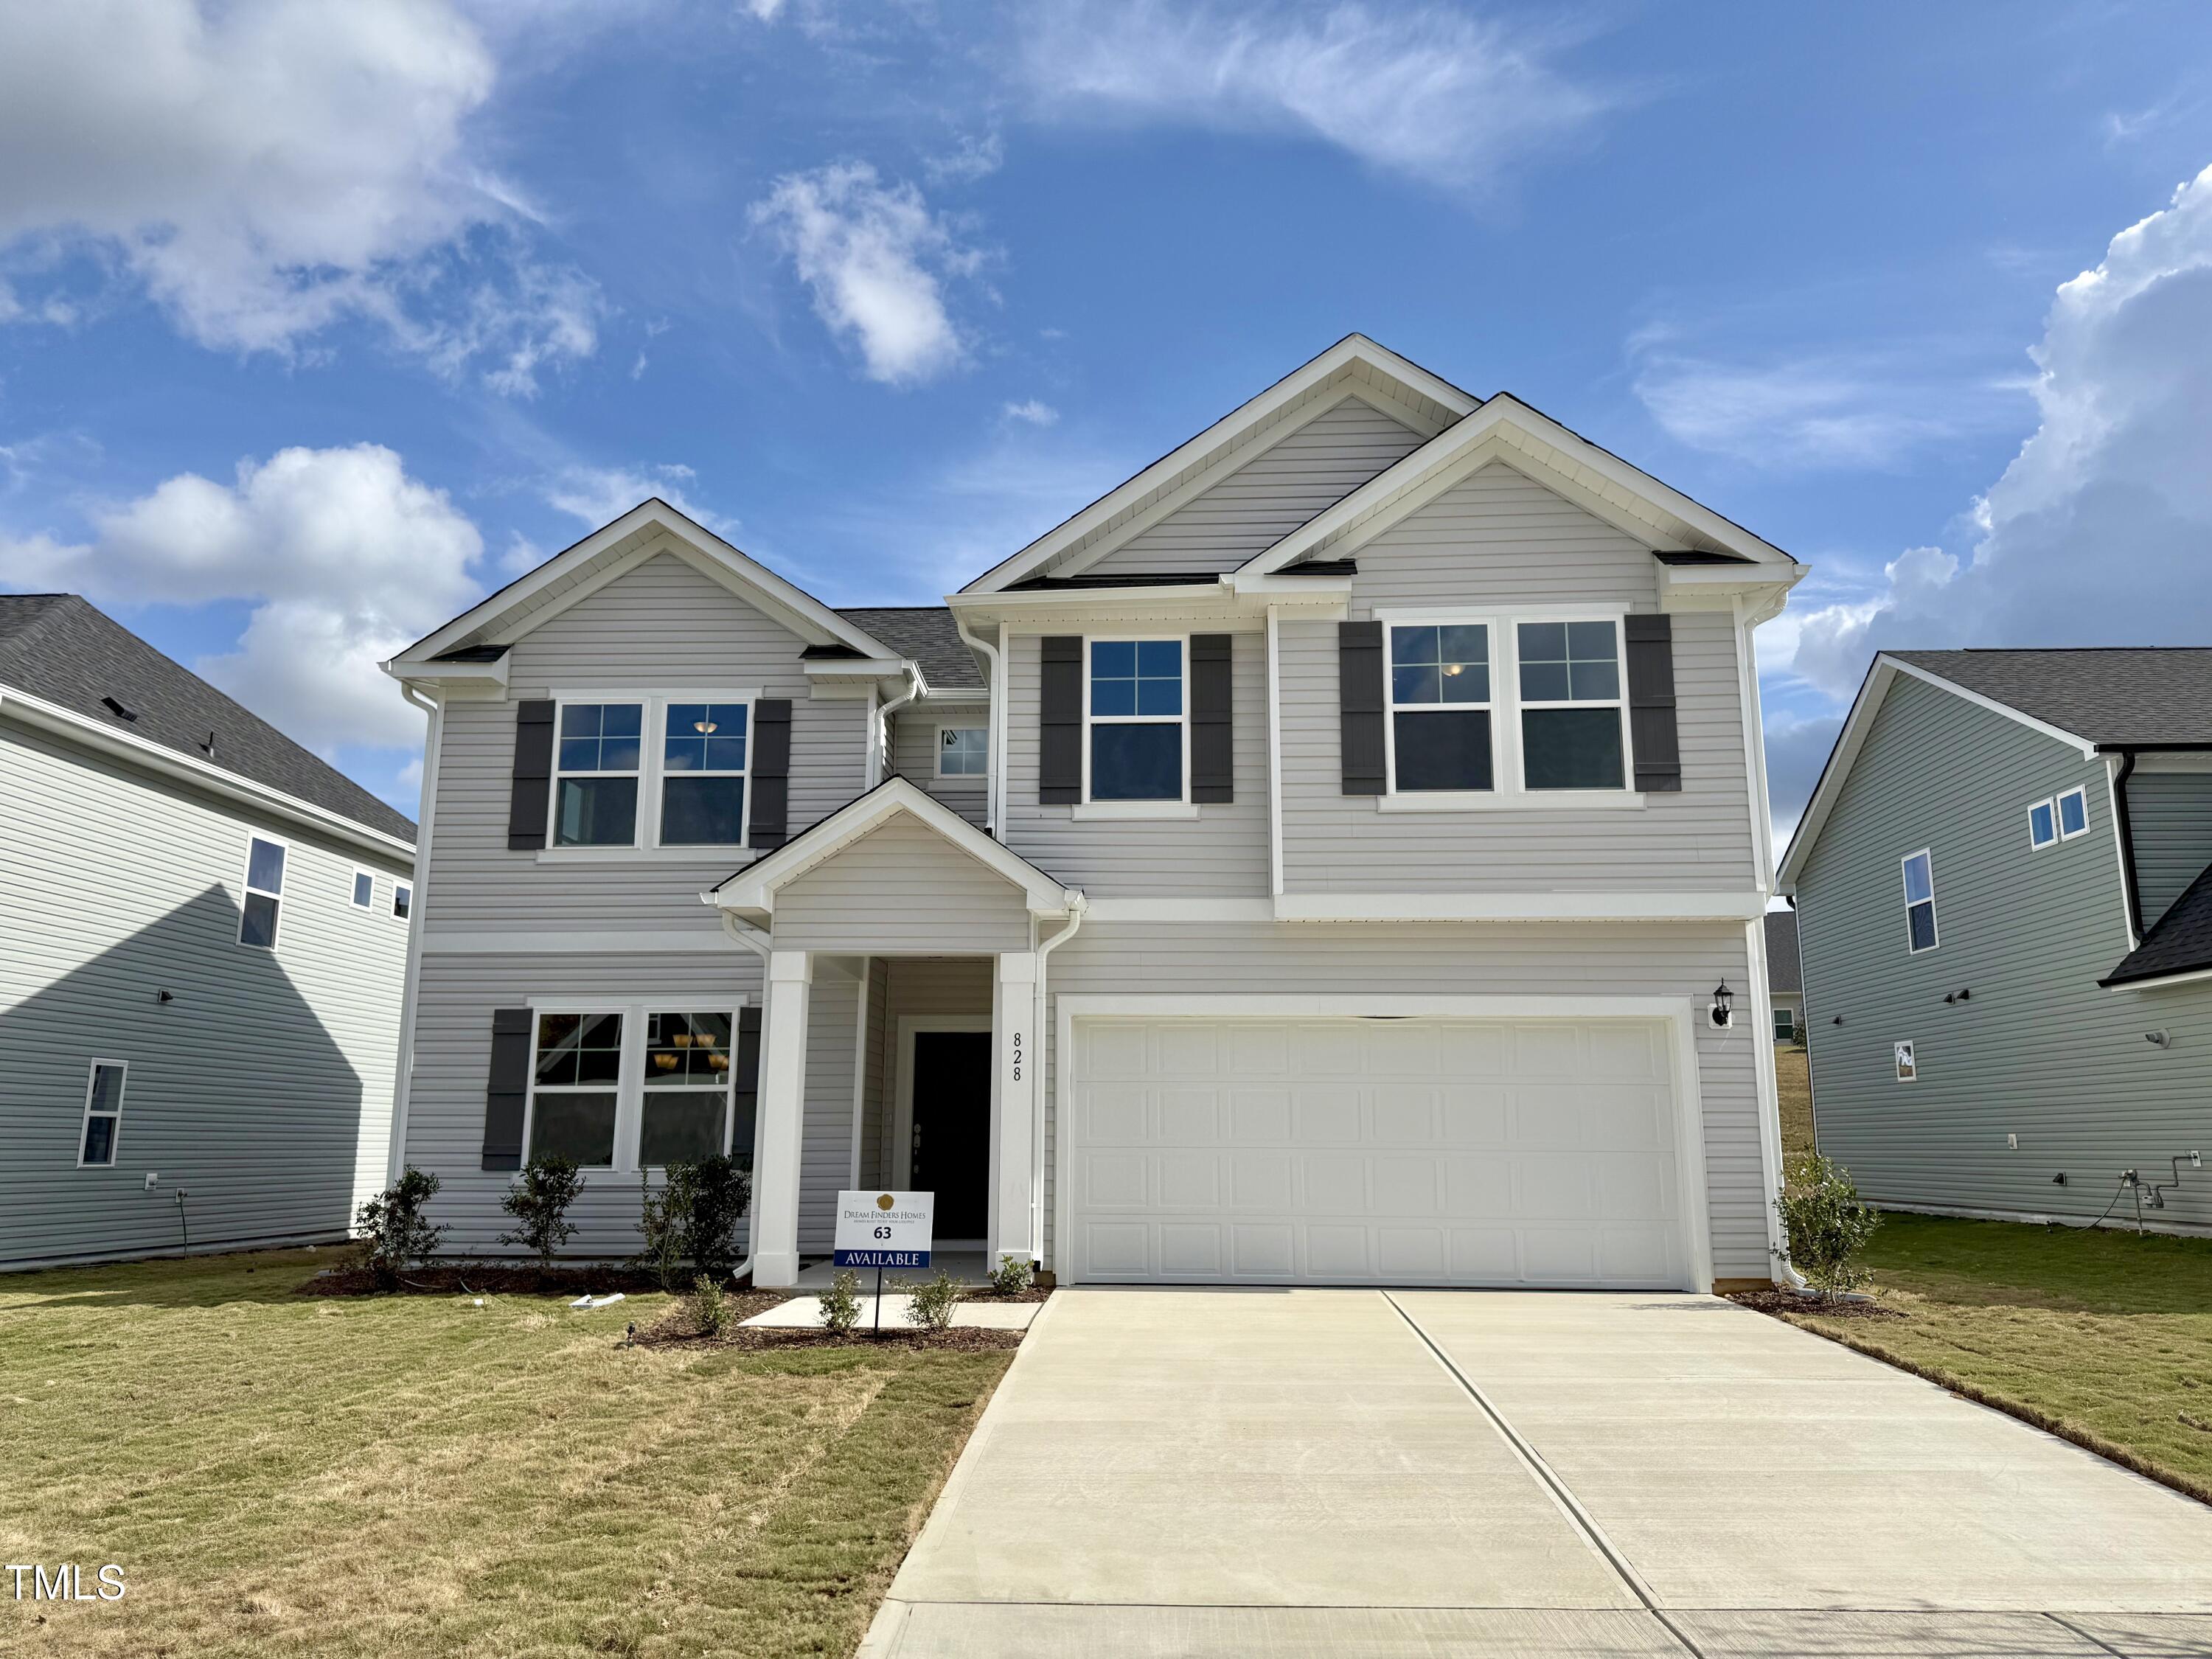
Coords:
202,954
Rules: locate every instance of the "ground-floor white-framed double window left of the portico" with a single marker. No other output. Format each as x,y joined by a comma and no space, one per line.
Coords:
634,1087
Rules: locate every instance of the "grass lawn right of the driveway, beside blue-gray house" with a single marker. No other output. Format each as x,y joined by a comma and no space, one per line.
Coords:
2100,1335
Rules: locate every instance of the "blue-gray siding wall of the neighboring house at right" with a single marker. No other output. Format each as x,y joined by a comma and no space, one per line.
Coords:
2038,1050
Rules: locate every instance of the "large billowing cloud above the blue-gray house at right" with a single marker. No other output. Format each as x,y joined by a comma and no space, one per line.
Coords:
2098,530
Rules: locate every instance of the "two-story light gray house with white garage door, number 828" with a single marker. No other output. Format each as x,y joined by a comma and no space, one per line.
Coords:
1311,864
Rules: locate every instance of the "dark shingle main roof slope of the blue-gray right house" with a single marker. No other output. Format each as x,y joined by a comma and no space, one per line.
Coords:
2105,696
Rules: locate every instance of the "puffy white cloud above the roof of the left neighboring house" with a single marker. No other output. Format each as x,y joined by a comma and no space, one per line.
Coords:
340,552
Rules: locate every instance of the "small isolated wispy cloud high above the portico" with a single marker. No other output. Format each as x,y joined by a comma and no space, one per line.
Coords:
877,262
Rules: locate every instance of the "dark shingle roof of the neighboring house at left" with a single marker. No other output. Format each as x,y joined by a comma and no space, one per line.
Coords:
70,654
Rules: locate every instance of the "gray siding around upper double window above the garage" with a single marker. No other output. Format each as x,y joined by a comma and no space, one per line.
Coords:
1492,543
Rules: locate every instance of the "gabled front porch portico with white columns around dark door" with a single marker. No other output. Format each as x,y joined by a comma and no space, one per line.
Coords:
881,928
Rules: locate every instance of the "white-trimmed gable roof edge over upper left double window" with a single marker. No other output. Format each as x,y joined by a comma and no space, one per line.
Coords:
614,550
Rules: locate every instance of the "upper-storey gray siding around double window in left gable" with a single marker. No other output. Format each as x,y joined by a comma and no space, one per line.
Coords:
660,627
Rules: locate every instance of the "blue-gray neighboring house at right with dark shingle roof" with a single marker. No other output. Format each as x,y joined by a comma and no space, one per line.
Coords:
2007,928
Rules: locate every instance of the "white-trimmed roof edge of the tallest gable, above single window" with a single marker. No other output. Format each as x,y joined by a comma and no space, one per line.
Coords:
1355,364
